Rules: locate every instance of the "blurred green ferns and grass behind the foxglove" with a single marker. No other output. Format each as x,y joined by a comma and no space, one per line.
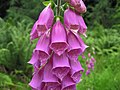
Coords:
16,20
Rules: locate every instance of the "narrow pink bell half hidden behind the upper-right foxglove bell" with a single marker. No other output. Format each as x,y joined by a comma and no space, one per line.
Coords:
83,27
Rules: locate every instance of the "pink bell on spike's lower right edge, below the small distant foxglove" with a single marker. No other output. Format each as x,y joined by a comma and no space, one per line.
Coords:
76,70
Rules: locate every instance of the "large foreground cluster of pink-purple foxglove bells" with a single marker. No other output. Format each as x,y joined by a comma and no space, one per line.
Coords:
55,57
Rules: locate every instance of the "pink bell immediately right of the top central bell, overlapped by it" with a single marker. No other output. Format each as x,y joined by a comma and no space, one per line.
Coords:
74,49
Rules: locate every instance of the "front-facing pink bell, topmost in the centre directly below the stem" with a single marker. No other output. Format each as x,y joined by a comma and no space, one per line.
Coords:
58,38
